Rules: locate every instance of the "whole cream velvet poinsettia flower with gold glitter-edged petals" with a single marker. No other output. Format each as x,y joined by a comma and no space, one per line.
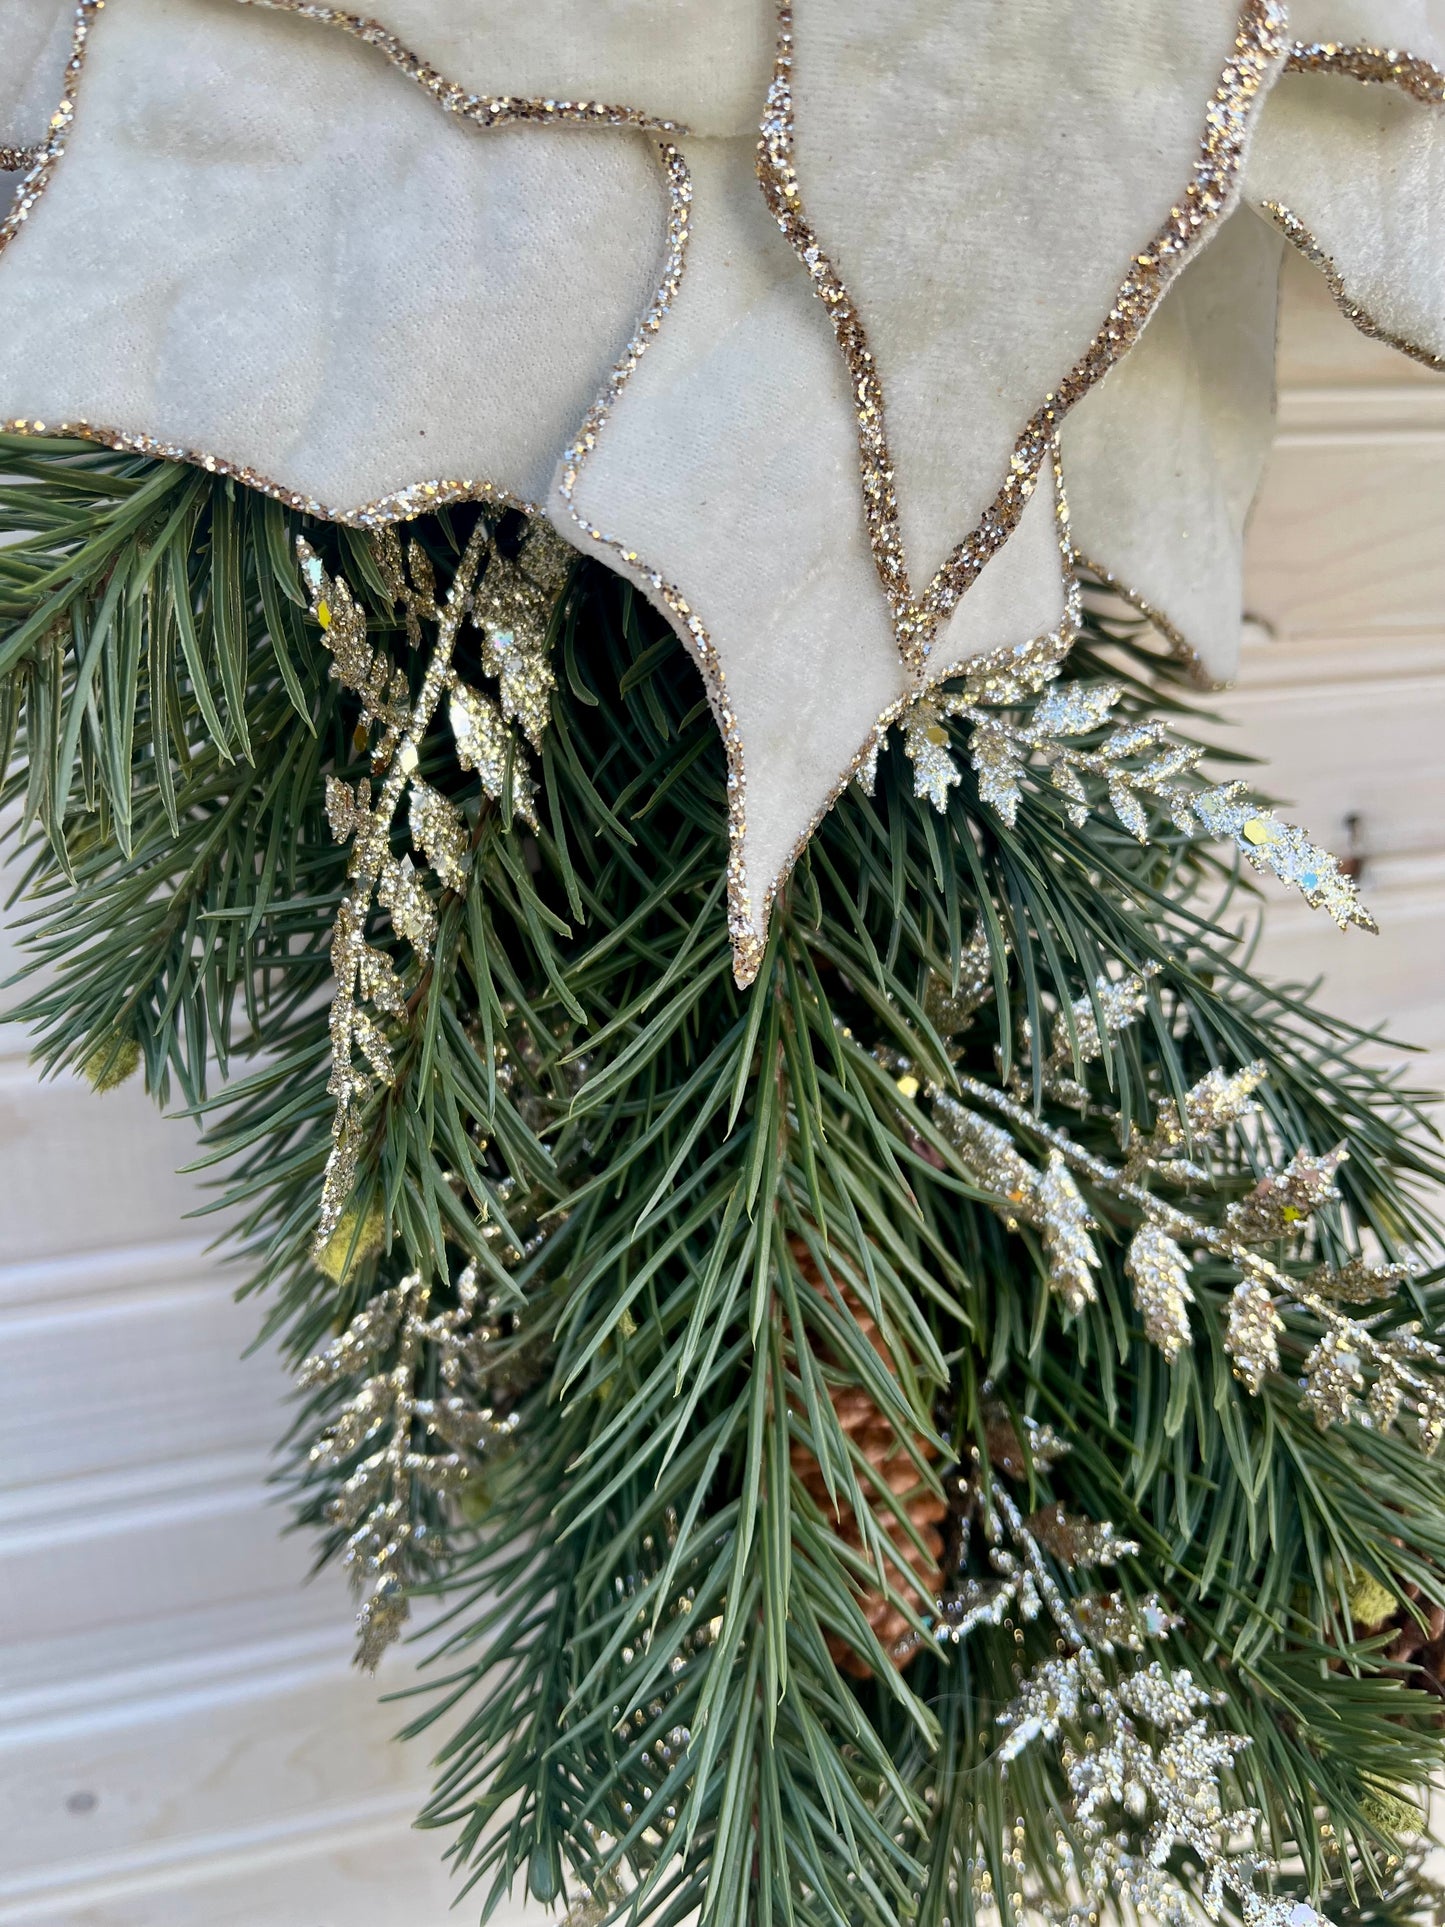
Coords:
799,315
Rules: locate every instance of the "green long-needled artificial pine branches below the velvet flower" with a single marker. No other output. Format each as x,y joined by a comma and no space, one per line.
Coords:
635,1681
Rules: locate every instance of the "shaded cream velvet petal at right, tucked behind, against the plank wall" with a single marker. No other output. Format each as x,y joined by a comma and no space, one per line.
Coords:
1165,458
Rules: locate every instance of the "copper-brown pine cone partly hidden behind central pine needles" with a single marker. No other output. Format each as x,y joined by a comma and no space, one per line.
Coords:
918,1575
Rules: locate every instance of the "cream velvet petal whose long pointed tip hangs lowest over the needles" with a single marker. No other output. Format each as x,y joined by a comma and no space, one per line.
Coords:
729,469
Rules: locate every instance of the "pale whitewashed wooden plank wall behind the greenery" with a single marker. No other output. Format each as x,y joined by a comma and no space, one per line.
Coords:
182,1743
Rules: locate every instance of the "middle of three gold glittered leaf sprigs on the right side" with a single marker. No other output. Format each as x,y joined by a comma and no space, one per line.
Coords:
1039,1182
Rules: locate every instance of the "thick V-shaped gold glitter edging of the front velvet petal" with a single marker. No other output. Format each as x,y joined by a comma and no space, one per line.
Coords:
1259,47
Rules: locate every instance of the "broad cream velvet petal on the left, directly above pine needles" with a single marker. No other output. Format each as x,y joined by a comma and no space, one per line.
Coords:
267,246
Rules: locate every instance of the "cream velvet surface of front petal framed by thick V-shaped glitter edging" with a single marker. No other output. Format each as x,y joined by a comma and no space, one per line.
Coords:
982,178
